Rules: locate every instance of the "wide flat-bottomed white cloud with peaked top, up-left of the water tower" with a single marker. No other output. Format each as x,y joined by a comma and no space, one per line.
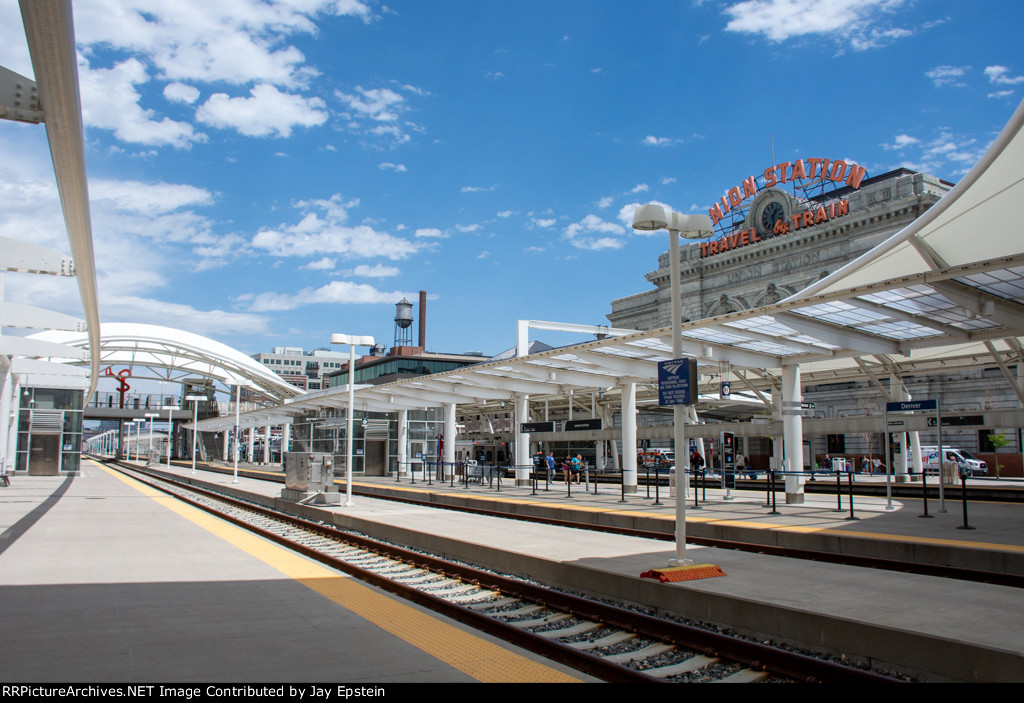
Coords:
323,232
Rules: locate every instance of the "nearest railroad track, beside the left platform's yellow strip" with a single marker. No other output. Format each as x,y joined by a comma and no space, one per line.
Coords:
610,643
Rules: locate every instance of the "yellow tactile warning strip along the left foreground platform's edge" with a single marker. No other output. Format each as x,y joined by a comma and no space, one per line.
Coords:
477,657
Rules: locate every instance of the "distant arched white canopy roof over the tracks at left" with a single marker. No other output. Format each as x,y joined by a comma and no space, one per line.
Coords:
153,346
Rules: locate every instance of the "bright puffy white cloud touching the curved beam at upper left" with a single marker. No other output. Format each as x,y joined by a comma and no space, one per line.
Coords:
111,102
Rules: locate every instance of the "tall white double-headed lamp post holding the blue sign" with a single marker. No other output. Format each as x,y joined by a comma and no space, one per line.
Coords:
650,218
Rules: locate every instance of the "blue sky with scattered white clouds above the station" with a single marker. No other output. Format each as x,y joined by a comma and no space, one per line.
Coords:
269,173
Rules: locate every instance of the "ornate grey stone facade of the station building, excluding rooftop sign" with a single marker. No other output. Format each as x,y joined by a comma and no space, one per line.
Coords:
763,273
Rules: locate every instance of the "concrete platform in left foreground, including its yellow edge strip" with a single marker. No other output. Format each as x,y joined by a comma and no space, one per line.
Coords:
104,581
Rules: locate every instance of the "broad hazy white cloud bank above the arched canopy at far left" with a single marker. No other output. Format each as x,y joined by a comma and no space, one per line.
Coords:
143,234
